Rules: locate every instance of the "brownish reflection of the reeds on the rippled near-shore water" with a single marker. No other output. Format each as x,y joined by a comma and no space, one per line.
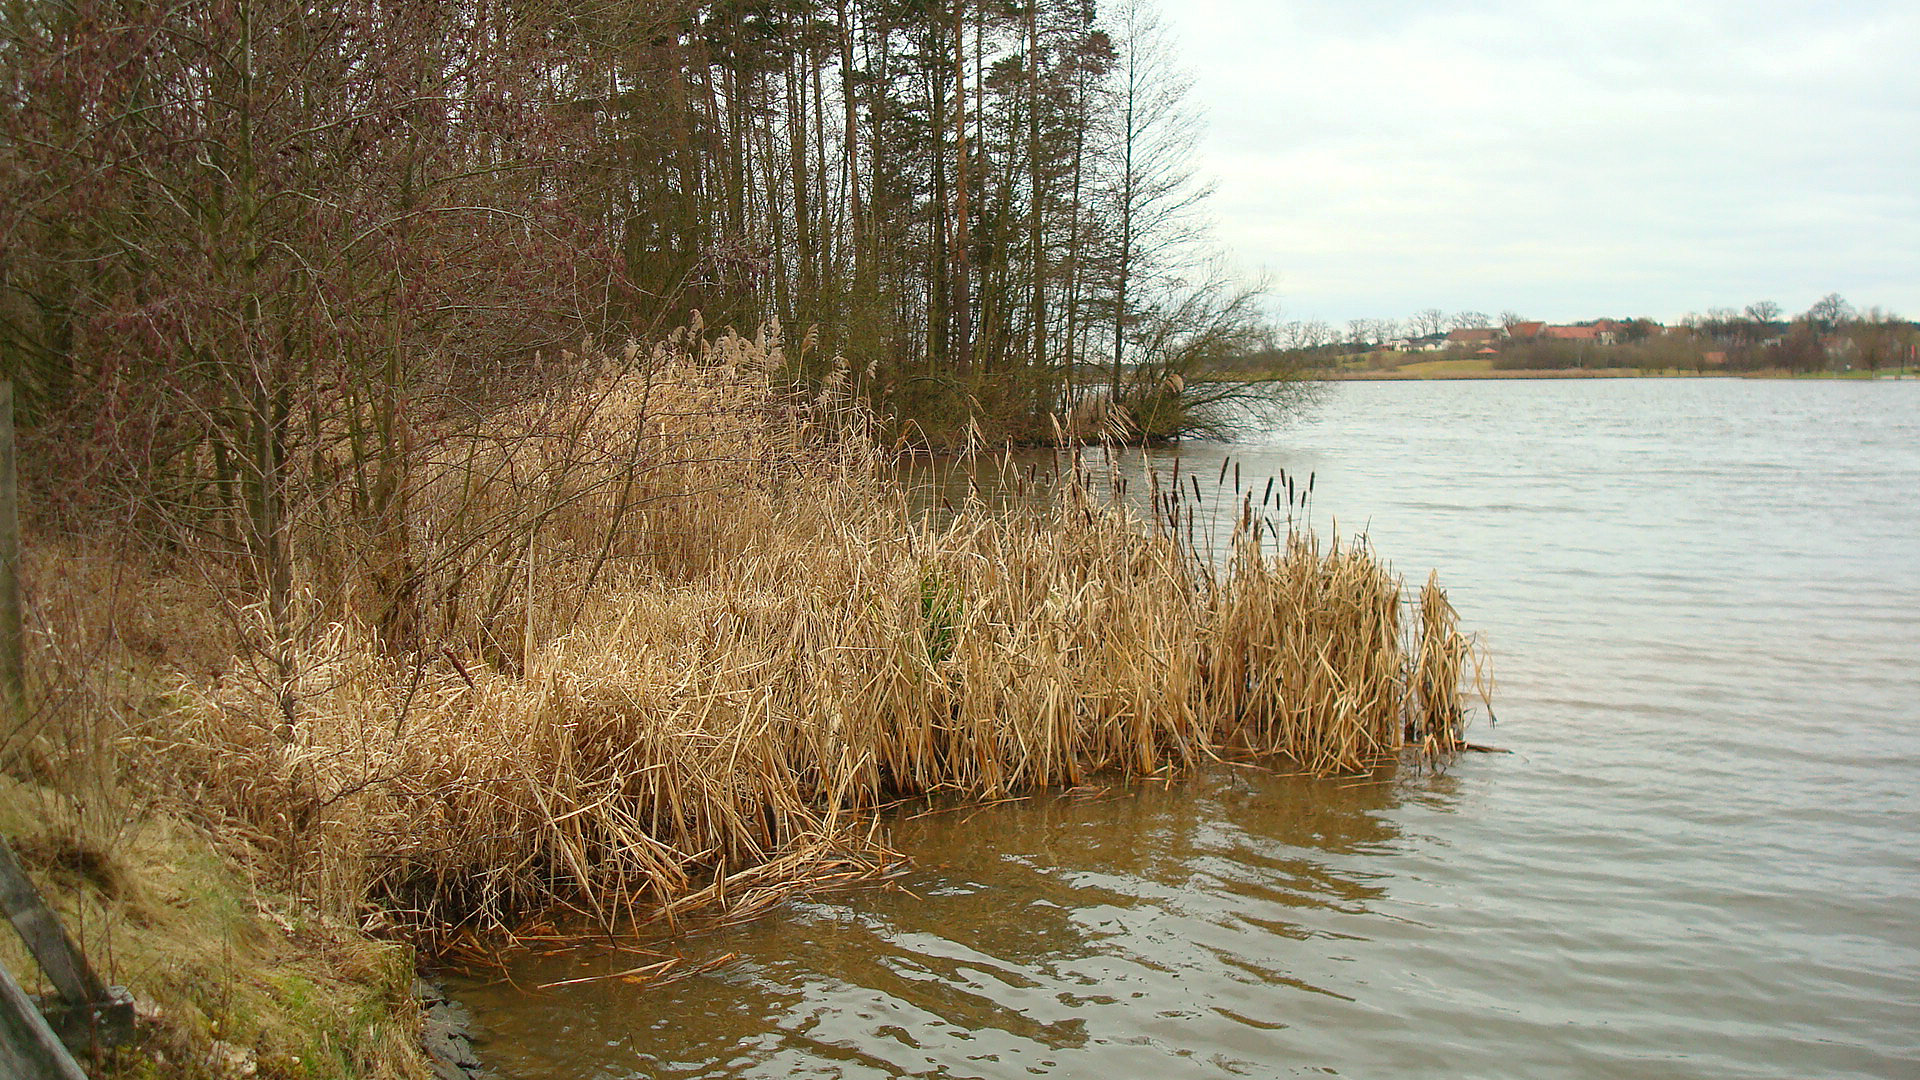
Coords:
1067,933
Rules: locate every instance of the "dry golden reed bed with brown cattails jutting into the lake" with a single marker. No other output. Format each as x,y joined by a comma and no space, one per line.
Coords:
675,631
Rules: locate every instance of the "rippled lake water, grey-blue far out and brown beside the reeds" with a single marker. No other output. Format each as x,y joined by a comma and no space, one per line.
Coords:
1700,860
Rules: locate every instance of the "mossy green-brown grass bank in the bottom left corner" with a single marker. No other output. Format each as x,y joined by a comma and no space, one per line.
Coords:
231,975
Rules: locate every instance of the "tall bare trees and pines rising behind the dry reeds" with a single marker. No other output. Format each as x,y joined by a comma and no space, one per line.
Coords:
233,222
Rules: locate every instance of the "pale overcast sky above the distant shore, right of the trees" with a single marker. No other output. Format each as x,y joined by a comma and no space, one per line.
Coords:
1562,160
